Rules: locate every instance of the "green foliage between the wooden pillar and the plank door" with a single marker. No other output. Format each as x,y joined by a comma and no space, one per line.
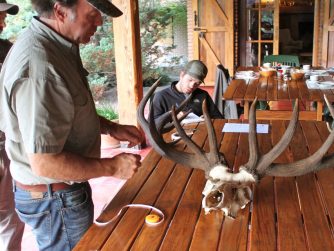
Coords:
156,22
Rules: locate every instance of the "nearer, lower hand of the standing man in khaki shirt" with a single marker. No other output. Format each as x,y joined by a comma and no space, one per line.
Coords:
122,166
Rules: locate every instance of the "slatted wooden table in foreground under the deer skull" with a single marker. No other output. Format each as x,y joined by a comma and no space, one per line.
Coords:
286,213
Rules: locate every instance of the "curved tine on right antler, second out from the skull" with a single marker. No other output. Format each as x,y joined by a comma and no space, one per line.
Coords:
269,157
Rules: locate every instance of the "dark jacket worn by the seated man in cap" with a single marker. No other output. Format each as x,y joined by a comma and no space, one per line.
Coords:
166,98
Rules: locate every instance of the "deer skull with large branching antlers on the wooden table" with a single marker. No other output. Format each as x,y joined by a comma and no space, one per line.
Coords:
225,190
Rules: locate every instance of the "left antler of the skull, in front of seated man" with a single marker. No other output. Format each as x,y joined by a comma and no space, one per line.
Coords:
198,158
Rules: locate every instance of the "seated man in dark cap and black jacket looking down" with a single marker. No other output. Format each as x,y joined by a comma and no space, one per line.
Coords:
191,77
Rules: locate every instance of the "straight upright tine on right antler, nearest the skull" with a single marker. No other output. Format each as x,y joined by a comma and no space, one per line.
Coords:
252,140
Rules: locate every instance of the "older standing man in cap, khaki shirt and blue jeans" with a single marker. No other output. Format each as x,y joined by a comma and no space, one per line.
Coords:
51,125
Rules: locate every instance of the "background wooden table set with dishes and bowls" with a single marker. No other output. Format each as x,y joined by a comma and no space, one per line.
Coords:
273,89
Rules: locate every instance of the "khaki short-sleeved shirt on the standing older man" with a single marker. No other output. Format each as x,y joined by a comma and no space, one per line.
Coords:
45,102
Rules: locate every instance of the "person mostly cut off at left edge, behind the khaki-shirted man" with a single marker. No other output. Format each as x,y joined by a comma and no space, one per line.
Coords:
11,228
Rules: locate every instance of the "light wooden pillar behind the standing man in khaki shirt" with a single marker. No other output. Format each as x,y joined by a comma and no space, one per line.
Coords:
128,60
